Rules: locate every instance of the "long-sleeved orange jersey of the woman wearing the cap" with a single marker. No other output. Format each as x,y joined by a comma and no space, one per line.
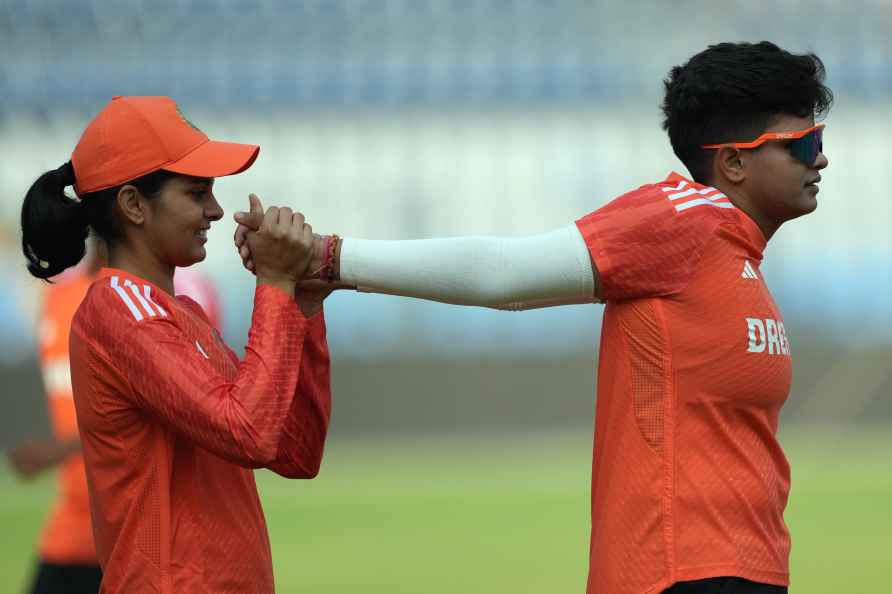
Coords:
172,424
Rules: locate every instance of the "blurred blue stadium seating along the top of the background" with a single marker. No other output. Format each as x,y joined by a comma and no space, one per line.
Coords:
349,53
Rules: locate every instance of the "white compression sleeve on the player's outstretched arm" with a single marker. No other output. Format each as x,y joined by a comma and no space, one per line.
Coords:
505,273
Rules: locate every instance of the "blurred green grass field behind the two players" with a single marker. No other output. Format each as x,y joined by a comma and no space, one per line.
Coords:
508,513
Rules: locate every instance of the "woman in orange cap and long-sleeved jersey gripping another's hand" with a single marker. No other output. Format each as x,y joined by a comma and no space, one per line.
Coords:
171,422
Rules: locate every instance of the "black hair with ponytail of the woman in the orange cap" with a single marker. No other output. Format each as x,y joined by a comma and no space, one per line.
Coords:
55,225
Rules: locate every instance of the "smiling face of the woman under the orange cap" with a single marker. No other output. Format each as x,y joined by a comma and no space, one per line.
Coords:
177,221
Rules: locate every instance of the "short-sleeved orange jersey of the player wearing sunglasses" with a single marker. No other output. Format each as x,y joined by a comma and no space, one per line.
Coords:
688,480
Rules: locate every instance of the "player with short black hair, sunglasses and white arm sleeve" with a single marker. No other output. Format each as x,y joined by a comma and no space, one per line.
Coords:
689,482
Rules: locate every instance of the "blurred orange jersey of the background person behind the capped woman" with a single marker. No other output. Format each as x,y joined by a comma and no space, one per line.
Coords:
67,537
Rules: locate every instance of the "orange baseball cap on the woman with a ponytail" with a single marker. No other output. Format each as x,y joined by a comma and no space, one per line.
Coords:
134,136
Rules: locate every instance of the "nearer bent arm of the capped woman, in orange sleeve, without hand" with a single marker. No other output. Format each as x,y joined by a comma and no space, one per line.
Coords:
242,418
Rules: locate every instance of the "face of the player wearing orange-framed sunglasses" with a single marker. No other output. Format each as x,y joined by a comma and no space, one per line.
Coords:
779,187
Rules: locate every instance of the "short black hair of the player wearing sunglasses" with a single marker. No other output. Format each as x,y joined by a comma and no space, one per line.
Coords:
732,92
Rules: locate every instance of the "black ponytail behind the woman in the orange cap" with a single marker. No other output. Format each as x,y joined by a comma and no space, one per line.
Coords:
54,225
